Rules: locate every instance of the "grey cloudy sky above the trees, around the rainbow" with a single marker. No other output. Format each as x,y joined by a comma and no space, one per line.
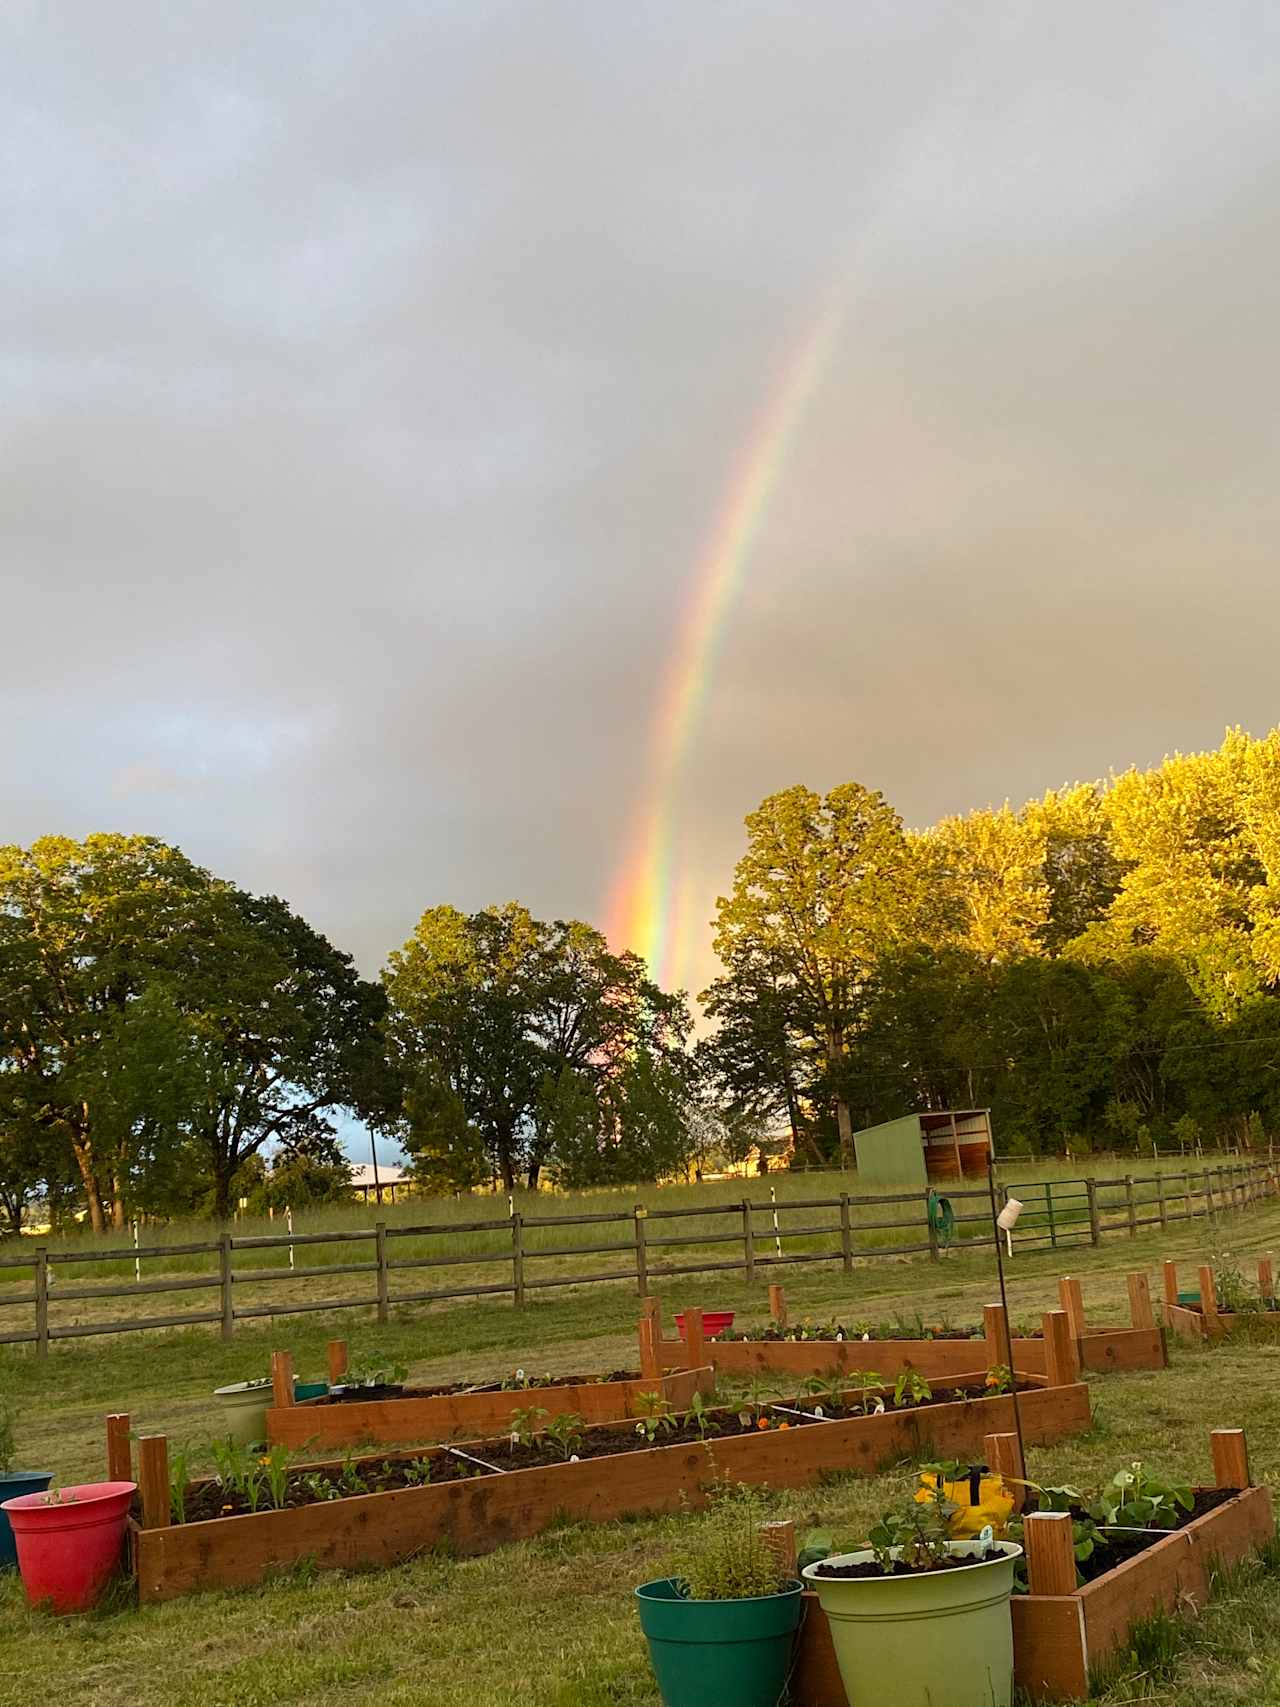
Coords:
375,382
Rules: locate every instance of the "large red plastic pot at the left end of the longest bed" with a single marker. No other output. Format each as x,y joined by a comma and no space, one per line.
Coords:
71,1542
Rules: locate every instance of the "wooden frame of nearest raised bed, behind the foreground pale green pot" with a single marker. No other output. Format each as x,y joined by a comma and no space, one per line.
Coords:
1064,1633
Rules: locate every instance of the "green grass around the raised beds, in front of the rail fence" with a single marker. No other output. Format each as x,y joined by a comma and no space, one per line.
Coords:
550,1623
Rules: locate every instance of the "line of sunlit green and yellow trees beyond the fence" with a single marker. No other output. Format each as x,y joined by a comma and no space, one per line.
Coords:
1100,967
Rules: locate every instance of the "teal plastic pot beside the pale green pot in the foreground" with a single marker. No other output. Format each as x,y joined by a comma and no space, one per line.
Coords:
714,1653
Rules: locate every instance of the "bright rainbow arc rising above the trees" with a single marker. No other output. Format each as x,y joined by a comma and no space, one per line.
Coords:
655,897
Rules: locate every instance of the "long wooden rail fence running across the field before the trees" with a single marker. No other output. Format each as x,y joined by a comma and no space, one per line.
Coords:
1056,1213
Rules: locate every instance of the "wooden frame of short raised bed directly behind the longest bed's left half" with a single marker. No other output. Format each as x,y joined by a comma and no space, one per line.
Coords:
450,1413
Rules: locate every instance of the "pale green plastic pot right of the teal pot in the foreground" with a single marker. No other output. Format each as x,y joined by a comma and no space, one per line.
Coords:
938,1636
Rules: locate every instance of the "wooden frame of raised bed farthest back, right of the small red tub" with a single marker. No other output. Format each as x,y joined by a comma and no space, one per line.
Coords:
1137,1348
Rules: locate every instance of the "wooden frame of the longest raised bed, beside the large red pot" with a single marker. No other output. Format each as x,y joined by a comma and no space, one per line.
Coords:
479,1515
